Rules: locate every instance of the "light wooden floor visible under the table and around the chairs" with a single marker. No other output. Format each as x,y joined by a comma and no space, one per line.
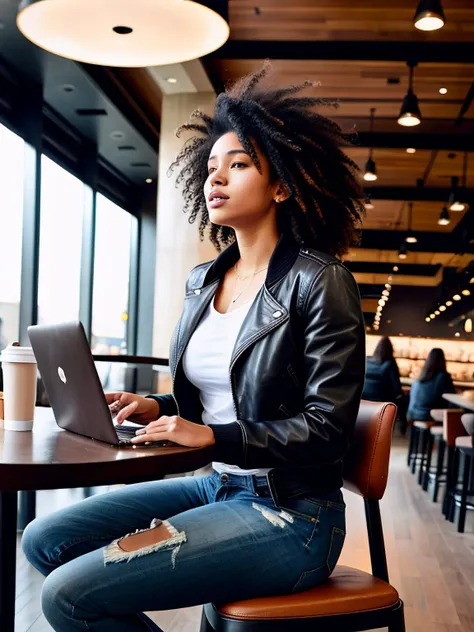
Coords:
430,564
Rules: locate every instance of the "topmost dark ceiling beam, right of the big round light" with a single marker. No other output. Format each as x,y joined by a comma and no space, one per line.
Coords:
441,52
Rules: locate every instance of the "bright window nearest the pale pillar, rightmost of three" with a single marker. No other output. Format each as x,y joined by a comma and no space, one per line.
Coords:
110,297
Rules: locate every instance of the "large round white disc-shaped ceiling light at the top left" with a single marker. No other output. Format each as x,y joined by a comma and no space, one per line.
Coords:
124,33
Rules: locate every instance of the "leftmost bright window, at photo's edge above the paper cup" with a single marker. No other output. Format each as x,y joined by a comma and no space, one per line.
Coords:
11,221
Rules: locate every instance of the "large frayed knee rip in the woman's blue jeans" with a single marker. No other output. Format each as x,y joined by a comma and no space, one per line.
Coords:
161,535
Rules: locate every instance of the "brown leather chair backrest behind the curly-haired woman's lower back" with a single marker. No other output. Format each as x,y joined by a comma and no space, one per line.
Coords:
366,465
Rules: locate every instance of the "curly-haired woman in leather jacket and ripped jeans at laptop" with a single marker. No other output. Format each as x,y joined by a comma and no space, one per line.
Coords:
268,367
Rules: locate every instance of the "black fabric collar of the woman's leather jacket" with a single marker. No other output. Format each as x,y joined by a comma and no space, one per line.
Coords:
283,257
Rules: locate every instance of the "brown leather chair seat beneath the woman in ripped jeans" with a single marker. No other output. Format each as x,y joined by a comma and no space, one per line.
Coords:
348,590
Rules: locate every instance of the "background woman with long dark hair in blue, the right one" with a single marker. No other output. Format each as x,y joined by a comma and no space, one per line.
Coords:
427,391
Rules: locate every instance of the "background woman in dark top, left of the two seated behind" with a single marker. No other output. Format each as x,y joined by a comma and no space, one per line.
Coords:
382,377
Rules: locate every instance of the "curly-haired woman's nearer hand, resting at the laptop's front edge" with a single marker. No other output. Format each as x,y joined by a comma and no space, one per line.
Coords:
178,430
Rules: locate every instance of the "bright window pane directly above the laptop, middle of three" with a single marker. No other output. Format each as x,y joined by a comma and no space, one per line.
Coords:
61,216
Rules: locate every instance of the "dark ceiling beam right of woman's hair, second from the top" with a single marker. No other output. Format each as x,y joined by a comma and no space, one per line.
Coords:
402,140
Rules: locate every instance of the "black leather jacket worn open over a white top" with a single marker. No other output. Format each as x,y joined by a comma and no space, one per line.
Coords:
297,369
